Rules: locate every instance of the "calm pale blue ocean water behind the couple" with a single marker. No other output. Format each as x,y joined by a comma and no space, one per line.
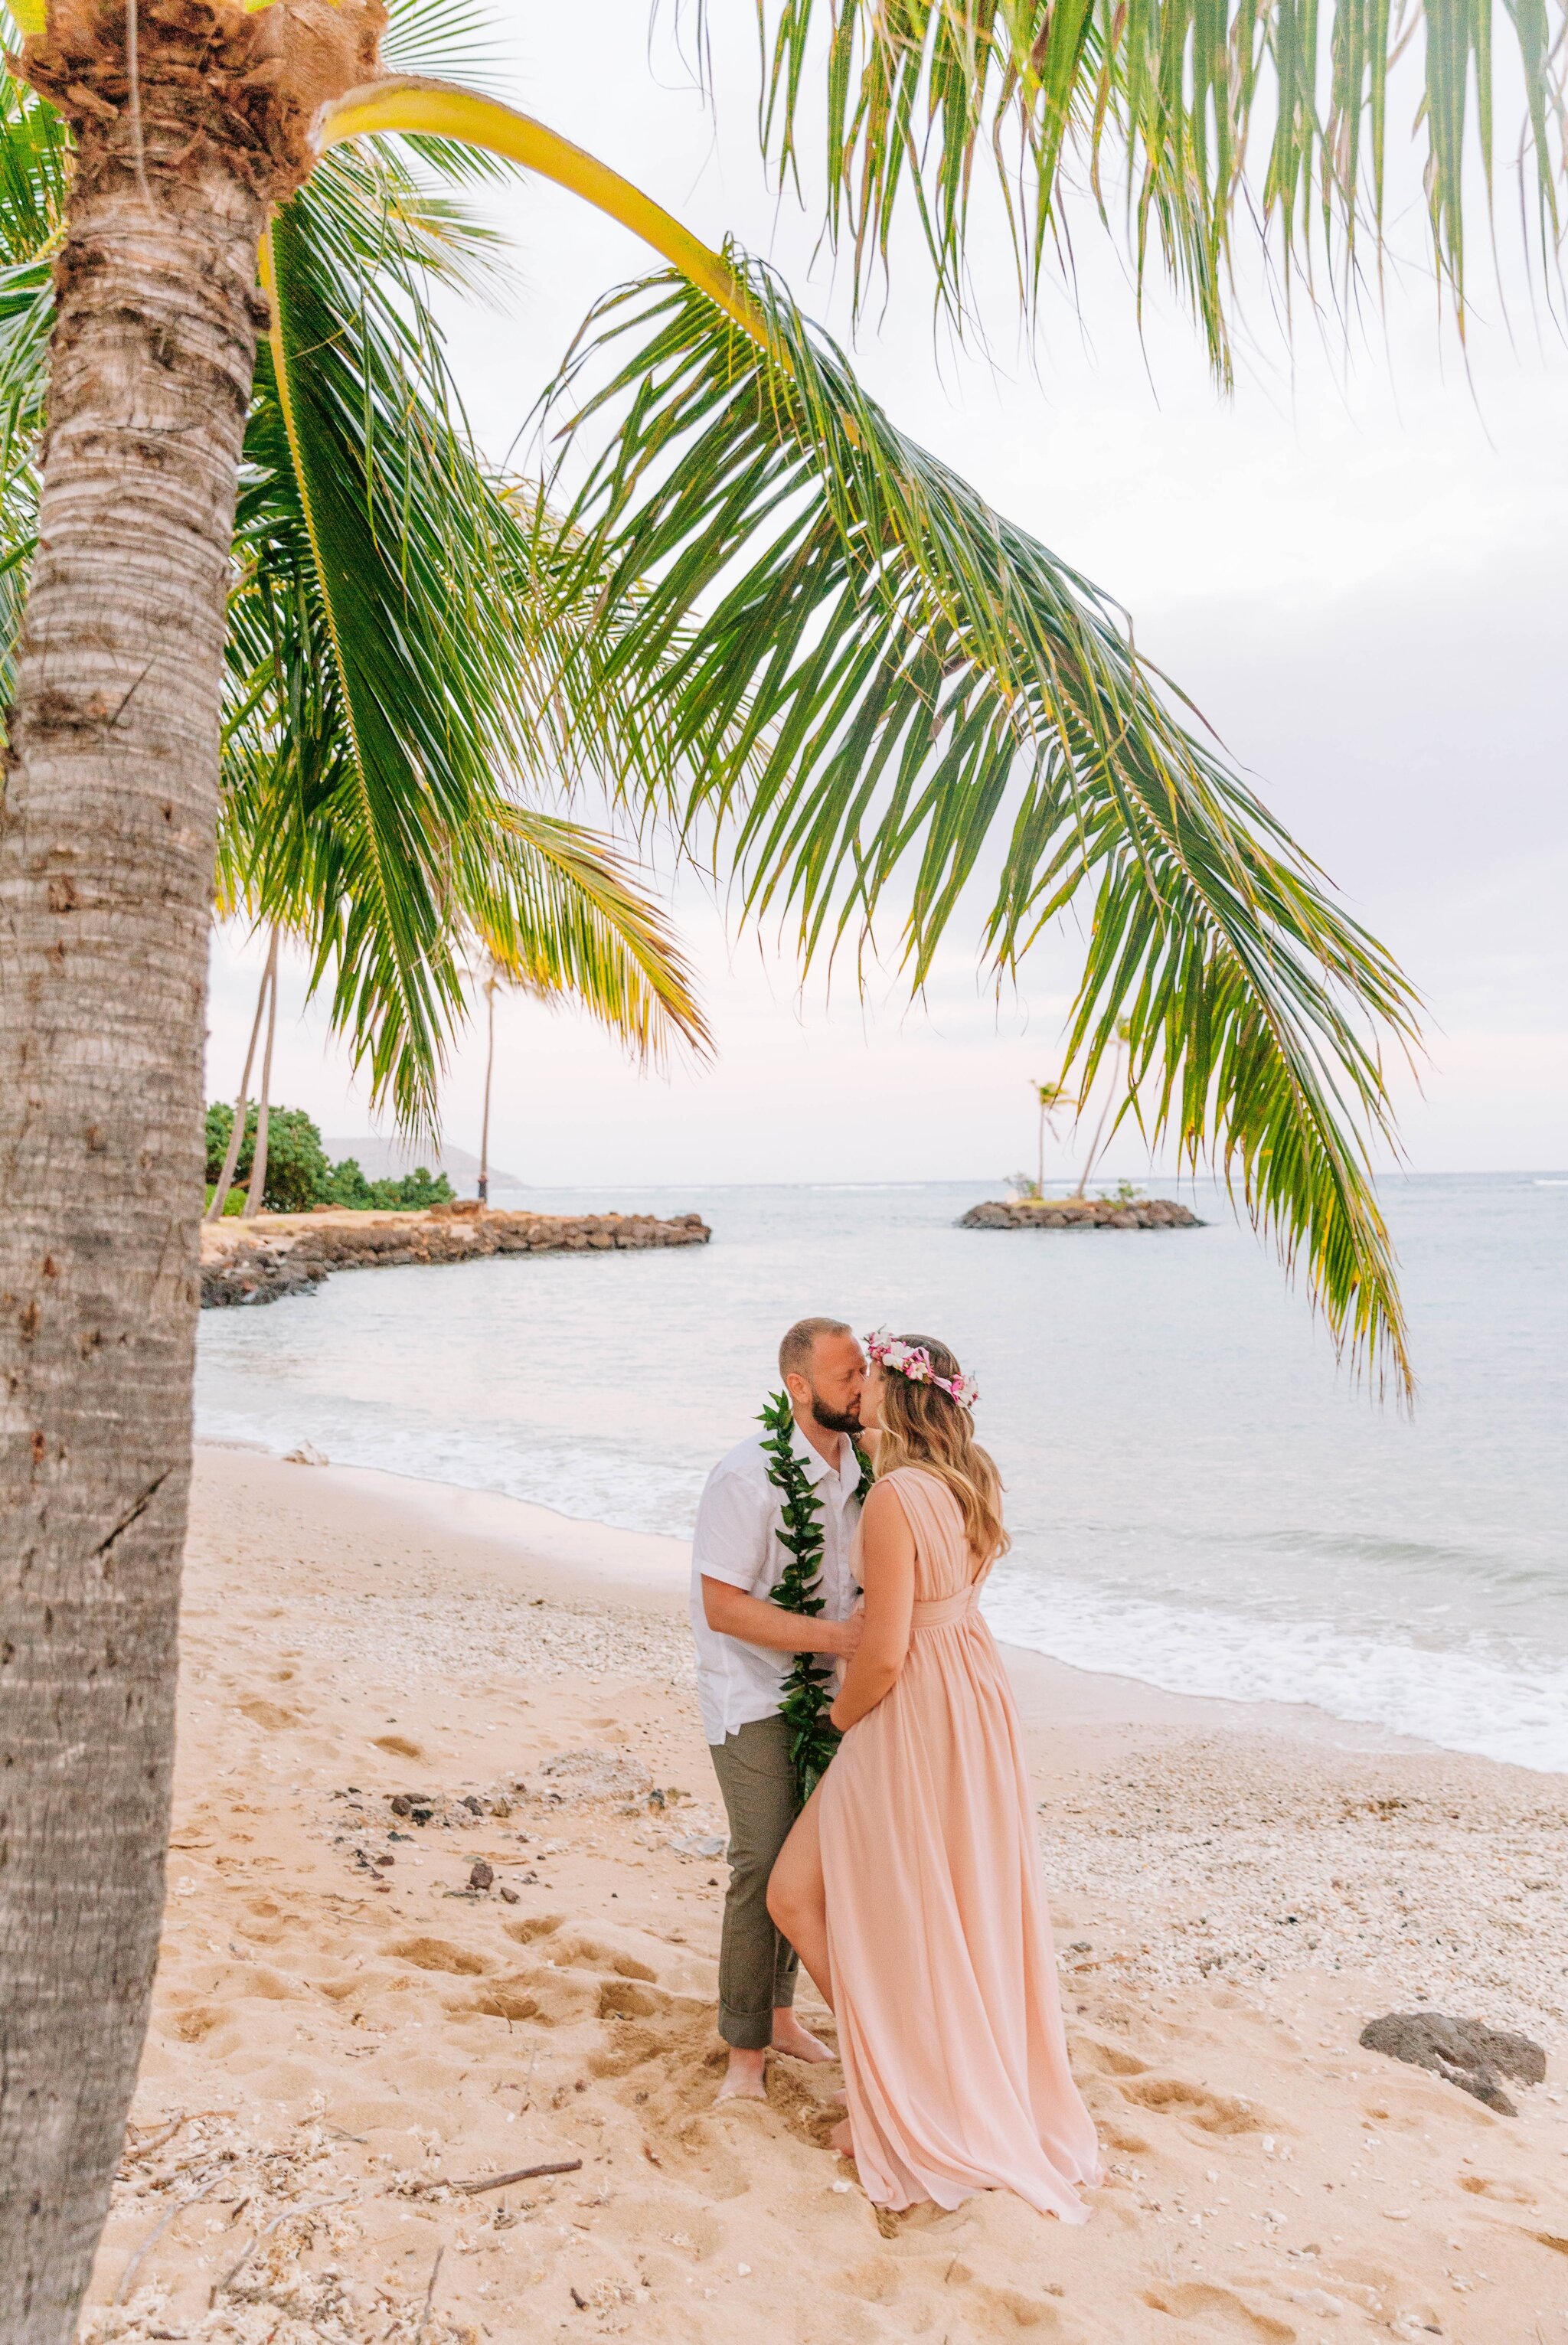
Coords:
1199,1495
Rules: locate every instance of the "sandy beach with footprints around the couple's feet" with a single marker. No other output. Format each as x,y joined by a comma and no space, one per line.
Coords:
348,2032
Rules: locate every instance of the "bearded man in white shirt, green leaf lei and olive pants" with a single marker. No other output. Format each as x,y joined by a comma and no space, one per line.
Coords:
744,1652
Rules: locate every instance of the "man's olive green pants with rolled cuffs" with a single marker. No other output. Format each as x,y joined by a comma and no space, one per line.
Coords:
756,1964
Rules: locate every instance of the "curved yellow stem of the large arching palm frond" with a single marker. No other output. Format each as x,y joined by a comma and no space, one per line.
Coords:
449,111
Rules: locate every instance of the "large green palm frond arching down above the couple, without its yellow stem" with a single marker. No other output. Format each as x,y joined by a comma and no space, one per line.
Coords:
875,679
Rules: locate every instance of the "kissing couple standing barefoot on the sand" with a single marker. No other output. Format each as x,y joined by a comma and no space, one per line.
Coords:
908,1882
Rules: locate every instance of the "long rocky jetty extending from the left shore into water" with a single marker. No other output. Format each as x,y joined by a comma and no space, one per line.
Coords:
292,1253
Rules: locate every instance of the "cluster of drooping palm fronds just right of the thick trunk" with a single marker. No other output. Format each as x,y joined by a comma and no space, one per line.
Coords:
386,686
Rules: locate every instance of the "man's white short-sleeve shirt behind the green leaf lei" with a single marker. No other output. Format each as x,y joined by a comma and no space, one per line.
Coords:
737,1542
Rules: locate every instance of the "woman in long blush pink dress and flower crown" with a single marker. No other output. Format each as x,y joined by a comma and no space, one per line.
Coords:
911,1884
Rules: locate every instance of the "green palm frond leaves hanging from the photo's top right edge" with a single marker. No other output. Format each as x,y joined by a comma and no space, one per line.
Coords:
1164,97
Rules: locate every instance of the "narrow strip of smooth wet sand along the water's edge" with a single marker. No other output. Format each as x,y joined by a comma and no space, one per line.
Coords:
657,1565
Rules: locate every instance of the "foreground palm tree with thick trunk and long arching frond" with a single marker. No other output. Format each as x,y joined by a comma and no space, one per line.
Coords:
768,616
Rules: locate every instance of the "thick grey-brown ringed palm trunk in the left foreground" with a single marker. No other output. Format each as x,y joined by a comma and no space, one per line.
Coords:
107,883
